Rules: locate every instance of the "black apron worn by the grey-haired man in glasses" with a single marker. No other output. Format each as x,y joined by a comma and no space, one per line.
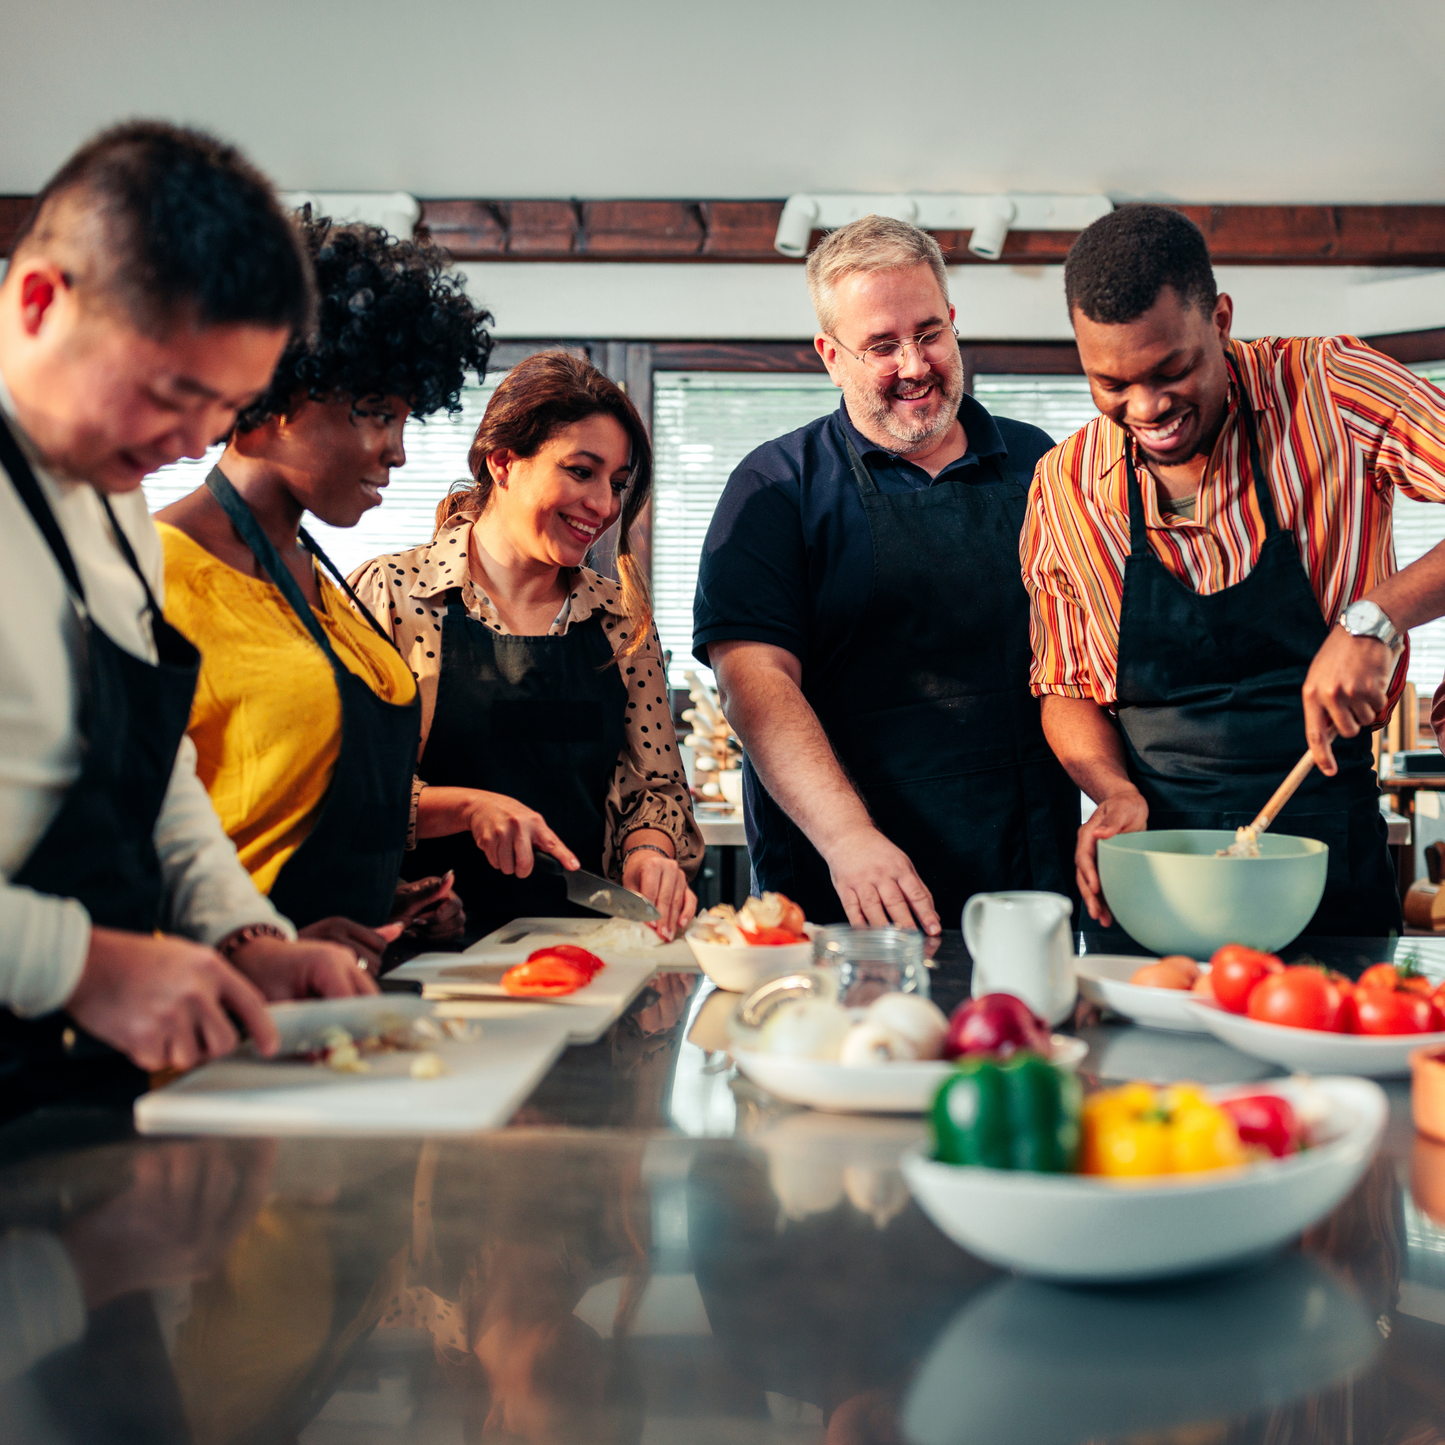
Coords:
931,713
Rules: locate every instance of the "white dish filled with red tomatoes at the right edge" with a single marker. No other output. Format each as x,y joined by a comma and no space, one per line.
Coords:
1308,1018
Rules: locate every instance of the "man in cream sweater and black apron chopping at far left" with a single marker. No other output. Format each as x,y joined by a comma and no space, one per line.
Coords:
147,303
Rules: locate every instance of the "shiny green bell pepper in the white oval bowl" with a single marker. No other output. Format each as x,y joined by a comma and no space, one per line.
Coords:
1017,1113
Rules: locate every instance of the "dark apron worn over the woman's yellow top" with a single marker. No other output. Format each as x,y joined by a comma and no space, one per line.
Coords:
352,859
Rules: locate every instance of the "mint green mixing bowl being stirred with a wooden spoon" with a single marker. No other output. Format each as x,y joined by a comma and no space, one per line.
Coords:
1173,895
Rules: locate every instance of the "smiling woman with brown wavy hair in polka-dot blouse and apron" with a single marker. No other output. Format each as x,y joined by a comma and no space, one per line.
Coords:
545,719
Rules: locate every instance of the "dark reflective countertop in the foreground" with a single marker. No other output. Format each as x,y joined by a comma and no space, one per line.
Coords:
657,1252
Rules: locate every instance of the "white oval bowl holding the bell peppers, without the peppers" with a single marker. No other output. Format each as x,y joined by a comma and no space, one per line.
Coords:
1089,1230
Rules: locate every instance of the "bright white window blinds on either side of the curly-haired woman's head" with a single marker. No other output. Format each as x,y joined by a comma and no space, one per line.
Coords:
436,459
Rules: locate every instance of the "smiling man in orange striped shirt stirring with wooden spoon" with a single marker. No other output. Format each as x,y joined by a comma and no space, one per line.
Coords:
1210,564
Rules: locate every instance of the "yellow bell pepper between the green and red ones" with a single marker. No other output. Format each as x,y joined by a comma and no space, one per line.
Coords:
1138,1131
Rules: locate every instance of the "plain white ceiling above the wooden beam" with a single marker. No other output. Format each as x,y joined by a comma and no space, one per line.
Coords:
1229,100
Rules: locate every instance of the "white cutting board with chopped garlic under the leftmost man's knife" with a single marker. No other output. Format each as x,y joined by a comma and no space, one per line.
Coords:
486,1080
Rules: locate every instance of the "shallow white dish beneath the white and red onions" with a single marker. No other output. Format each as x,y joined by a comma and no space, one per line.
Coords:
882,1089
